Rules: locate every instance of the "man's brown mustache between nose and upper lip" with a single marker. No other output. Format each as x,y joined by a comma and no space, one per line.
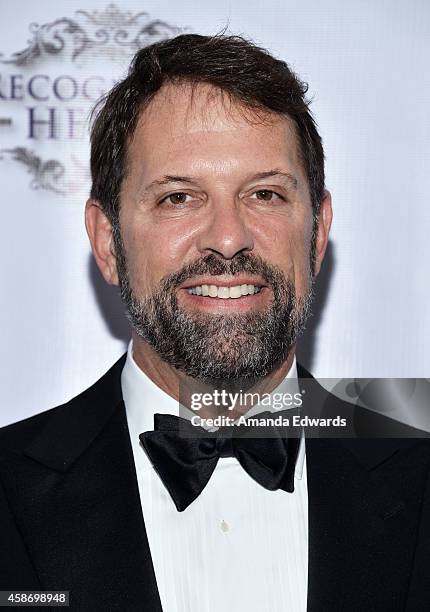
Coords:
215,265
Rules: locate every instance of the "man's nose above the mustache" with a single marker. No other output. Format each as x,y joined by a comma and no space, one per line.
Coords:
226,233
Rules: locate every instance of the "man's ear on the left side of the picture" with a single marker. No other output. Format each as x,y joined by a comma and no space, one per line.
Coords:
99,230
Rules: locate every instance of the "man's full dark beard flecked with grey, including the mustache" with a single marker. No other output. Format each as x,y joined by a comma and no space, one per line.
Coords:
229,349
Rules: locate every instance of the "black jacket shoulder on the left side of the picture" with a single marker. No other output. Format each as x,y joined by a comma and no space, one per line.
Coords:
106,390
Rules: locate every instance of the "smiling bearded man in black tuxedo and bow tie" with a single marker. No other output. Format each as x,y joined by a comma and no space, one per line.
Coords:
208,209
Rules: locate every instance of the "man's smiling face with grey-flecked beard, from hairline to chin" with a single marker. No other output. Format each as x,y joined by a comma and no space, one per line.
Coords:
216,227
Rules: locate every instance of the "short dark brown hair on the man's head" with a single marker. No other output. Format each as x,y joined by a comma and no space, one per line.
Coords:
247,73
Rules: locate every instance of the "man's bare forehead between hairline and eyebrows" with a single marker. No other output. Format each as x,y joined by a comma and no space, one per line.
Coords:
201,128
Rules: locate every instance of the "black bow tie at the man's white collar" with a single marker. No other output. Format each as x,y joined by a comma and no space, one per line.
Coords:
185,456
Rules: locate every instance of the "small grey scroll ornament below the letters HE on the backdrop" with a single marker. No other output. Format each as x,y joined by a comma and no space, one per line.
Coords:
46,174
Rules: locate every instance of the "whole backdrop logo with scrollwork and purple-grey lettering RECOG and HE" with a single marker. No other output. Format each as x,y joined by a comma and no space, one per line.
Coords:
48,89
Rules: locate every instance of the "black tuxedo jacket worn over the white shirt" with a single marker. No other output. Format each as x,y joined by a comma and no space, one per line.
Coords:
71,519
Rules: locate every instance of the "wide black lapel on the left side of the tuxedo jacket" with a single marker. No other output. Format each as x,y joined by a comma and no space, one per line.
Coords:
77,505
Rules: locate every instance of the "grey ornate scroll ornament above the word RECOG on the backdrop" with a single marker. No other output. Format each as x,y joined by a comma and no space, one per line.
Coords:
111,32
